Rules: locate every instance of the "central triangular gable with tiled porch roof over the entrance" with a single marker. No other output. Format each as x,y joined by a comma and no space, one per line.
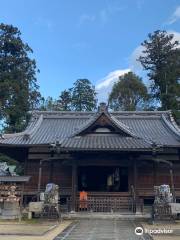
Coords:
118,139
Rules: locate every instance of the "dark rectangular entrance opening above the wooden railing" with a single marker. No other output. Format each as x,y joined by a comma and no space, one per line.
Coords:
103,179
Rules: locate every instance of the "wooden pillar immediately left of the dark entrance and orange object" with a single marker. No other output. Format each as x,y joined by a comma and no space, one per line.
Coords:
74,187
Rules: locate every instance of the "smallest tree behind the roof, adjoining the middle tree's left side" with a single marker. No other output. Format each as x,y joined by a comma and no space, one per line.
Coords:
65,100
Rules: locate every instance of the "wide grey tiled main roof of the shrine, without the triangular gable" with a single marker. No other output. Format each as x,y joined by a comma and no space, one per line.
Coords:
49,127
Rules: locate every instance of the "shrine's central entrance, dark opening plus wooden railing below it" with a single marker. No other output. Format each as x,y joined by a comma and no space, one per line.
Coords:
103,189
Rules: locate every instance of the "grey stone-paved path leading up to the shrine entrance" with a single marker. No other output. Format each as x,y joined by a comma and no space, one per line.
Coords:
101,230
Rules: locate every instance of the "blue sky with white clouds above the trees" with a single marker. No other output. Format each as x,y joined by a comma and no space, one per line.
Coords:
98,40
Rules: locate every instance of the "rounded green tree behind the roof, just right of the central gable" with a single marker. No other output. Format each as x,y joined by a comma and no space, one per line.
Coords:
128,94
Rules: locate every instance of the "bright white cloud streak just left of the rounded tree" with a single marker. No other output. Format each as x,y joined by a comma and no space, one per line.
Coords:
104,85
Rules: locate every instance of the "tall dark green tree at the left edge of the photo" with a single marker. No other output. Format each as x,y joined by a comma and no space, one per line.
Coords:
18,84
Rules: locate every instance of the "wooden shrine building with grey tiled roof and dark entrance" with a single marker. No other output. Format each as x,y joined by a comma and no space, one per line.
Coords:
115,157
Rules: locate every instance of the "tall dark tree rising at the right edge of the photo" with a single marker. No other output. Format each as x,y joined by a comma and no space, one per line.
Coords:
161,58
